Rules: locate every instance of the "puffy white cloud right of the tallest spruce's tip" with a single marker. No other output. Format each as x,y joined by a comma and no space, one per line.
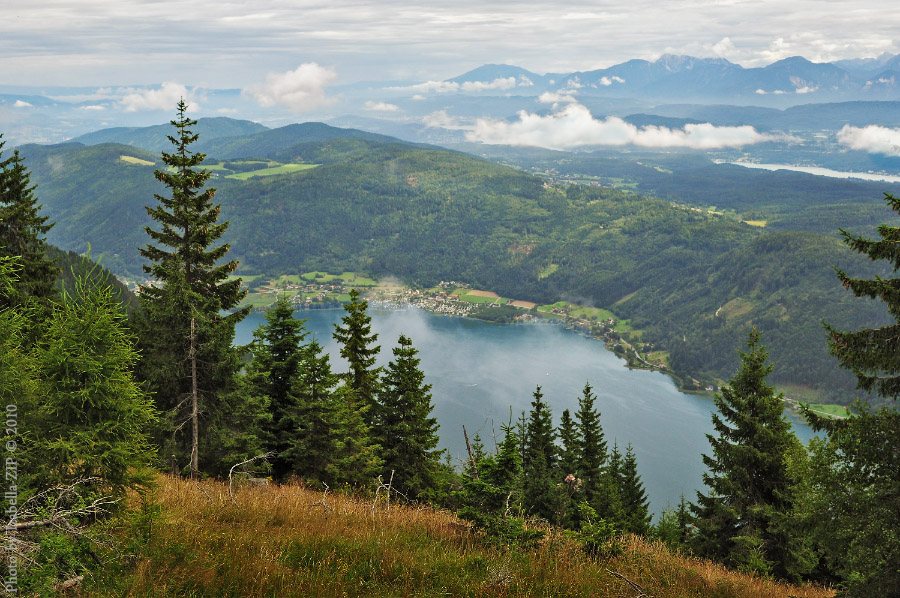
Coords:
300,89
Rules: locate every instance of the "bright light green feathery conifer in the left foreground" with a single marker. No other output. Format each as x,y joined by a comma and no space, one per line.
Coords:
91,418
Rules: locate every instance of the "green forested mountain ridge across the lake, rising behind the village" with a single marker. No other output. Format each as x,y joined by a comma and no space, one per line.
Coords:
427,215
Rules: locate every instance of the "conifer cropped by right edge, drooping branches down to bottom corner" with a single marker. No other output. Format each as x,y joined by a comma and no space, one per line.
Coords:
858,466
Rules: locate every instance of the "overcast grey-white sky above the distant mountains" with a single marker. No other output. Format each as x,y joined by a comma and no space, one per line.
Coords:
237,45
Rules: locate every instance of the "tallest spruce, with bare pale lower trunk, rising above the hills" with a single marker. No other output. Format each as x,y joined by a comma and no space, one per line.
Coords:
186,341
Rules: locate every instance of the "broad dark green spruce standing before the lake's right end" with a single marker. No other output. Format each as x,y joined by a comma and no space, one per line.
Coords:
742,520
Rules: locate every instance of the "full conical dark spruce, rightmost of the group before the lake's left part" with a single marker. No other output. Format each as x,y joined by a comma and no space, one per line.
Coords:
404,426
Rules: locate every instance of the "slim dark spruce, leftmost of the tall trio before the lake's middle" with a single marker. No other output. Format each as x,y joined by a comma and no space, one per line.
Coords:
540,496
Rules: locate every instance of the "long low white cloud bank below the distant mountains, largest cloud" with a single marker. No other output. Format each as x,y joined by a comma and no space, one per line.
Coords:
573,126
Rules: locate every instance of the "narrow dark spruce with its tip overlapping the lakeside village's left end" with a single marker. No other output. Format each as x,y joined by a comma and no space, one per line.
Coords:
357,347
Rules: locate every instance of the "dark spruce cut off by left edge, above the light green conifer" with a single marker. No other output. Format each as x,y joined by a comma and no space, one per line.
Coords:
22,230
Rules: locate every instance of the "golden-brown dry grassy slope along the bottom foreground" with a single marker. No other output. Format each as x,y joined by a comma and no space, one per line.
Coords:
281,541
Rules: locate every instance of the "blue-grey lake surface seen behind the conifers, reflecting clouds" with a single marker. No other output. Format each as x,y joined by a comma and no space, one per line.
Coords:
479,370
